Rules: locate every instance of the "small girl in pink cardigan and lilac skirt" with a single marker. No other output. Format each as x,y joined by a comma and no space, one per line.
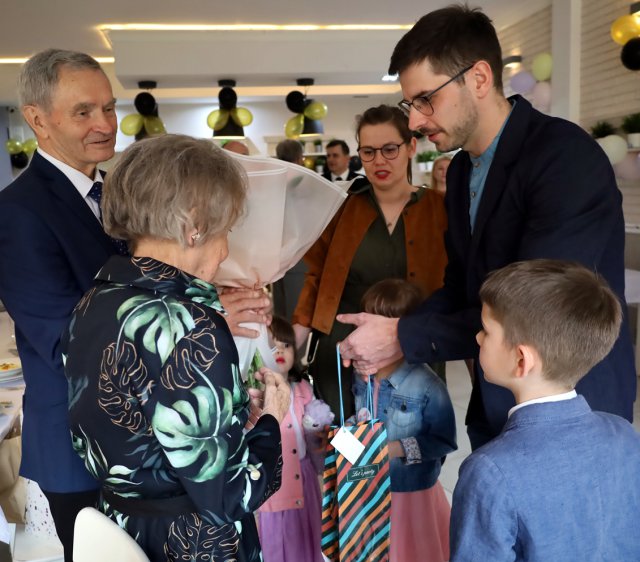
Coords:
289,522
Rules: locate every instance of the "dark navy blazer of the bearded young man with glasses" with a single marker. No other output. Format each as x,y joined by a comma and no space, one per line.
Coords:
550,193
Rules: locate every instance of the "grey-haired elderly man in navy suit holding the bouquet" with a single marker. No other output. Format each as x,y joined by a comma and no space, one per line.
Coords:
51,246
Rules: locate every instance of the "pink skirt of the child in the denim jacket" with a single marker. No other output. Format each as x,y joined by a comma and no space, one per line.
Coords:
420,525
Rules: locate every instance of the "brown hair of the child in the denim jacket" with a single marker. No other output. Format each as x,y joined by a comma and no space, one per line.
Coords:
392,298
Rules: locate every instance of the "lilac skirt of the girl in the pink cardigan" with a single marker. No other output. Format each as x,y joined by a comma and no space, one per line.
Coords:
293,535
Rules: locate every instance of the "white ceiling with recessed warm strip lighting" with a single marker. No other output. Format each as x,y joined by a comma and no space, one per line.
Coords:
187,65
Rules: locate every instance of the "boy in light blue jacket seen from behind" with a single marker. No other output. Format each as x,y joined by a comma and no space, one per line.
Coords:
561,482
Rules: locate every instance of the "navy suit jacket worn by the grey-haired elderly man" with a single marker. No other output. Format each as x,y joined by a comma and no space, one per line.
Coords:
51,247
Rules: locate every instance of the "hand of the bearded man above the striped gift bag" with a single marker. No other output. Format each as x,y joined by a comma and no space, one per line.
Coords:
373,345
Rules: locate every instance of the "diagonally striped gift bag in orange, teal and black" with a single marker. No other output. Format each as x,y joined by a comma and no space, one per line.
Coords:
356,502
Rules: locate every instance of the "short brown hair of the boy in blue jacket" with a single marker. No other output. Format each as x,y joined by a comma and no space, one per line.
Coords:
562,309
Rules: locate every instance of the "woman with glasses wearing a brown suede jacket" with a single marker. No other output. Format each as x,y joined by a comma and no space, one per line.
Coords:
387,229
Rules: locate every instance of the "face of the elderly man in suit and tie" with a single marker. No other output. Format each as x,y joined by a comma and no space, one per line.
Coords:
80,128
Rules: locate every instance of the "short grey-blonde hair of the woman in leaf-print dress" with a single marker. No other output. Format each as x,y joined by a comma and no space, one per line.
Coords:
164,186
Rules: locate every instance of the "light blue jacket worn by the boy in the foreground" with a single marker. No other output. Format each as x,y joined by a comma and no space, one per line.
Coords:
560,483
